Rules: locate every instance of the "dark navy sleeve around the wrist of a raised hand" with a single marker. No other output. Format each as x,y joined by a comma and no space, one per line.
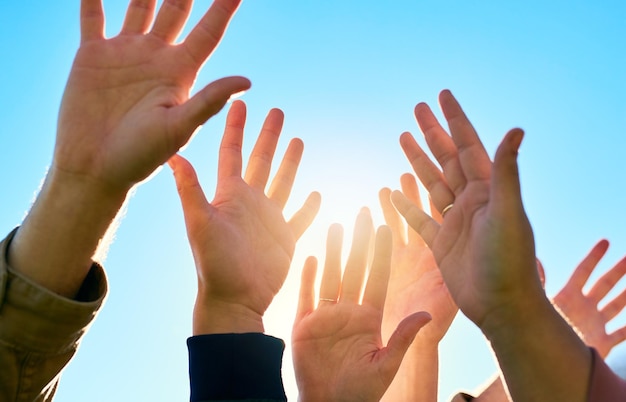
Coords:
235,367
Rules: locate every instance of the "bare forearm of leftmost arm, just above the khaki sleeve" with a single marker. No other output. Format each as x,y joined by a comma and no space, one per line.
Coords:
66,225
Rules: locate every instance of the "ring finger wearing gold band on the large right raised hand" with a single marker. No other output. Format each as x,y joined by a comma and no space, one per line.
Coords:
428,173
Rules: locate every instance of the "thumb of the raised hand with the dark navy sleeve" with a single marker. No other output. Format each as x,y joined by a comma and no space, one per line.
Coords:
190,193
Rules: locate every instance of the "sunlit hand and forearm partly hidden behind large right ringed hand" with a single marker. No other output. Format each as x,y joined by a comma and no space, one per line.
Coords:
415,284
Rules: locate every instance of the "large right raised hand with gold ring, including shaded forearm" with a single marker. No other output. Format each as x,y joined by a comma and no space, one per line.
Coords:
485,251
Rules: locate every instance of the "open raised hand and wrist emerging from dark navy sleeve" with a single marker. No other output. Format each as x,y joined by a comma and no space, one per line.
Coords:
242,245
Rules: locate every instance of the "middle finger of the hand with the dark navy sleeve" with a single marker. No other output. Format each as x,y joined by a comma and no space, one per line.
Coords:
260,162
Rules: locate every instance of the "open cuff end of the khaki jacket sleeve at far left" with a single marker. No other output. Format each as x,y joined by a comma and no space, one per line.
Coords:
36,319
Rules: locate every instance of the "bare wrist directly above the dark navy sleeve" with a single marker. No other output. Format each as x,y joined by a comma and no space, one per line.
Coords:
211,316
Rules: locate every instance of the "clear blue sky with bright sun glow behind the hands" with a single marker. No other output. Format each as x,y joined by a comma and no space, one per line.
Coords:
347,74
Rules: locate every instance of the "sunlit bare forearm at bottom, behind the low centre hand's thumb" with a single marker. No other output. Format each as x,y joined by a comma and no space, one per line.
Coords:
417,378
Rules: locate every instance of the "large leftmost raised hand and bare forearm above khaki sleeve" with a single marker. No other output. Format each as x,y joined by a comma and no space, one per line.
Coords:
125,111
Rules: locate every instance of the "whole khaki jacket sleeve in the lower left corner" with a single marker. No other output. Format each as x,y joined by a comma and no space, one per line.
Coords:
40,330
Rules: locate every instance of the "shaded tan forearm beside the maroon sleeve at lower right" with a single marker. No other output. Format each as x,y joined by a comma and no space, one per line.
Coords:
539,354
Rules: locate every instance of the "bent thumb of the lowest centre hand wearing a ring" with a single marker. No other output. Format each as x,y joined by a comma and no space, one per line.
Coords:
400,341
